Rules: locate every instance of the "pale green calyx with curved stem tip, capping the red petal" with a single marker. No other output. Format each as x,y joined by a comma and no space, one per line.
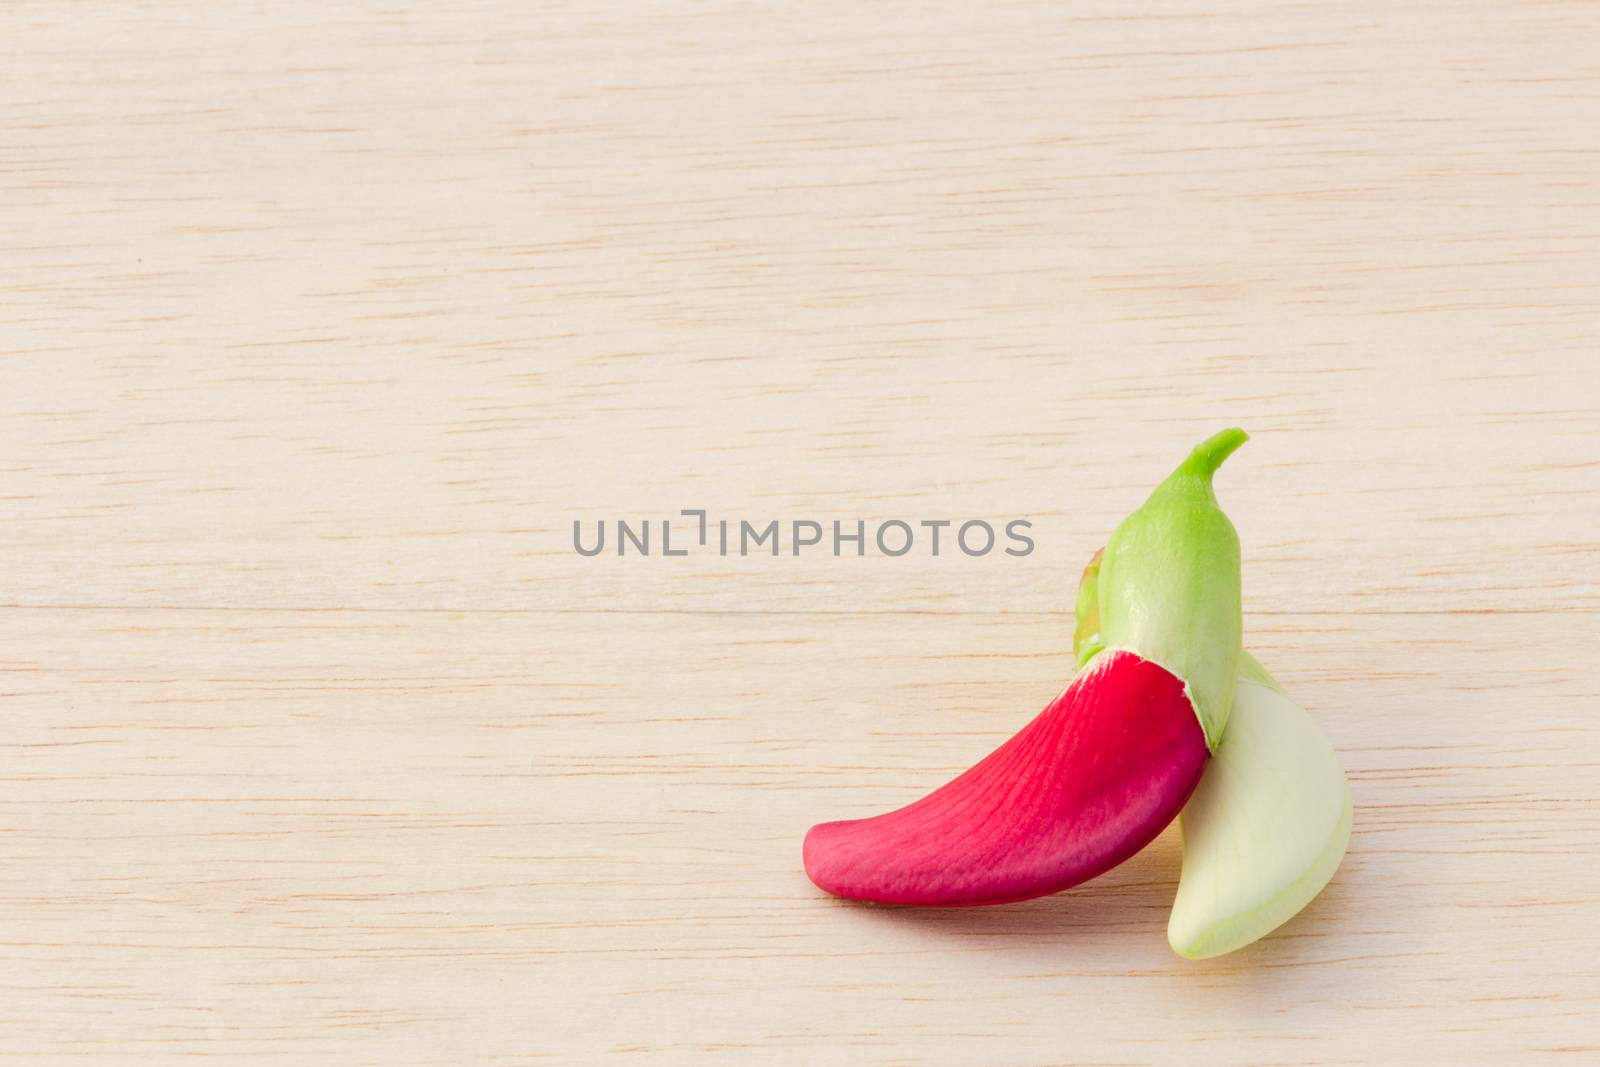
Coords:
1167,586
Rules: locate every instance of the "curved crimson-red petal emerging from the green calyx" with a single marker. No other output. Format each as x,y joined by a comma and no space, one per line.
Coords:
1078,791
